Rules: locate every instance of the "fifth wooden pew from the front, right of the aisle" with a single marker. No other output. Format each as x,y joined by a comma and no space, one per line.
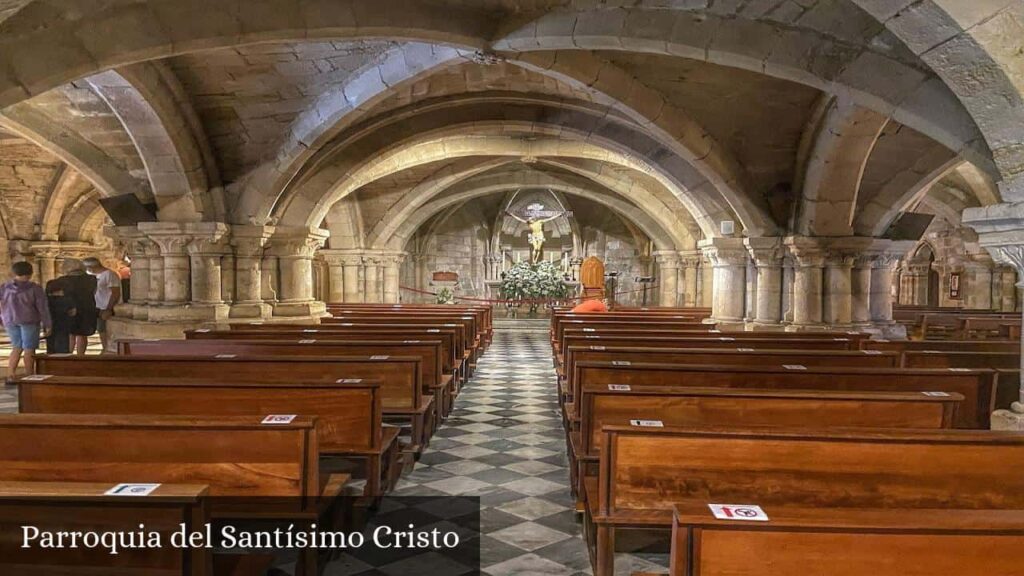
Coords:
736,357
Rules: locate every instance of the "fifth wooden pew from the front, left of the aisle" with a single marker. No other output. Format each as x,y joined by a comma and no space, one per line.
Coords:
430,353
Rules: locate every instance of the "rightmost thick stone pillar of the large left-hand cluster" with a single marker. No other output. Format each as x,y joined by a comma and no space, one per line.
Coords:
295,250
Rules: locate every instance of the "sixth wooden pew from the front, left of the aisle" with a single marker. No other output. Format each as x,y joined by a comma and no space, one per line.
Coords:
449,366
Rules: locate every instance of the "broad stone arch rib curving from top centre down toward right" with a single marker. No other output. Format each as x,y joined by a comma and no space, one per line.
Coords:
871,78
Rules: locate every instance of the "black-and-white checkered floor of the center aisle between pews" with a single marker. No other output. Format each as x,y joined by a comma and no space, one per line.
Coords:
504,443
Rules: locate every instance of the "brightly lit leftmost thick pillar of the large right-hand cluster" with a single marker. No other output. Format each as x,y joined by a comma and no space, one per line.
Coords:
729,257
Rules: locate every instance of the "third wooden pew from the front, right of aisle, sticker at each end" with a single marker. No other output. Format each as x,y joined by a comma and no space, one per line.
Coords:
691,407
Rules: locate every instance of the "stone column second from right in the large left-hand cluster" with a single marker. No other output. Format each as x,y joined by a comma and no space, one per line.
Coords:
249,243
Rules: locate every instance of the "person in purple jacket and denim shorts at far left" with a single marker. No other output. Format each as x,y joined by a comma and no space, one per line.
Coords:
26,315
